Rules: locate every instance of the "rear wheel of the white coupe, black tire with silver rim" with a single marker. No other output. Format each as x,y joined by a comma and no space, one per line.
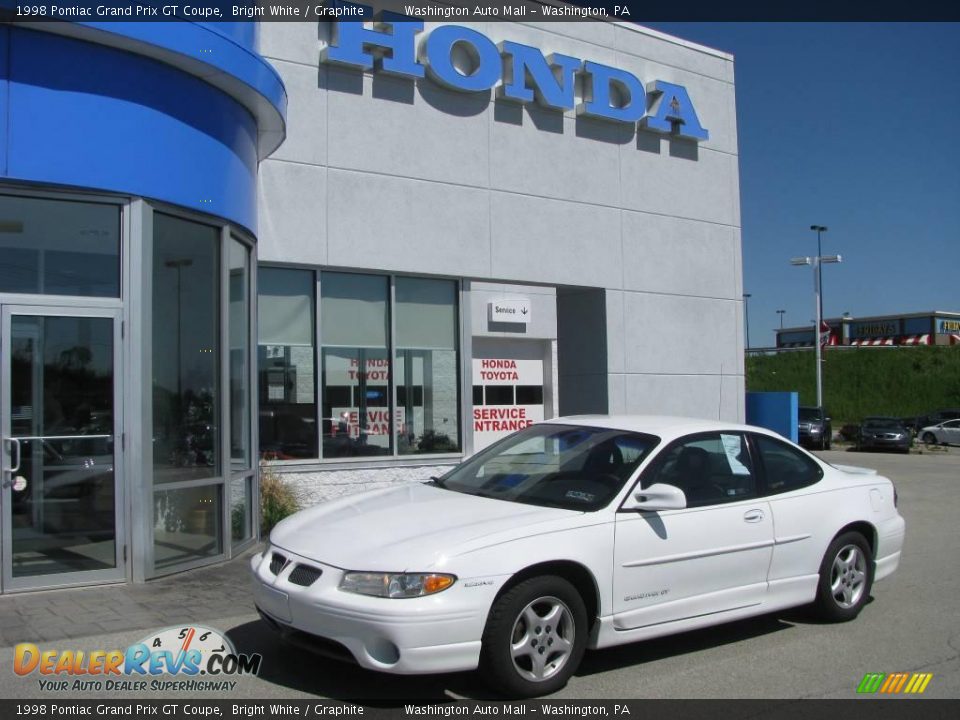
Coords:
846,576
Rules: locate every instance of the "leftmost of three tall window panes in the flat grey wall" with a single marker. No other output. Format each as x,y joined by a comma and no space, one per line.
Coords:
286,367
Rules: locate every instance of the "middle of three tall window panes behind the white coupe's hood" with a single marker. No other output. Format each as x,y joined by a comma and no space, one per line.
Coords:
356,365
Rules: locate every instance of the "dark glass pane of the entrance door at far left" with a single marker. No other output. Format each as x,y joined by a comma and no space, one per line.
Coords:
62,499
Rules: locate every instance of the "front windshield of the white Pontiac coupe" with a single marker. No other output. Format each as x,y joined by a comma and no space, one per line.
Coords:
562,466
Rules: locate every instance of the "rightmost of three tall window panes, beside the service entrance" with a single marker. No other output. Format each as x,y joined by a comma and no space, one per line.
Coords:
427,366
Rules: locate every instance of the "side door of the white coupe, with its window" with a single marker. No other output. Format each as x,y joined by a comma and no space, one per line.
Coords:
710,557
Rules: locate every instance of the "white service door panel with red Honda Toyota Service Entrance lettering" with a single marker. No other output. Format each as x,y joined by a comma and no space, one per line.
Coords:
507,396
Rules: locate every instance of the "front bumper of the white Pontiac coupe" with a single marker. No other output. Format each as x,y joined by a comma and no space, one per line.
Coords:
439,633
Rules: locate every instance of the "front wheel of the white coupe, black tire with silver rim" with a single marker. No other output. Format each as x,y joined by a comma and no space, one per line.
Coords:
515,676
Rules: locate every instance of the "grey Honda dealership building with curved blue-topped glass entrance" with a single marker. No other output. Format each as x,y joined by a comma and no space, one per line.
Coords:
354,253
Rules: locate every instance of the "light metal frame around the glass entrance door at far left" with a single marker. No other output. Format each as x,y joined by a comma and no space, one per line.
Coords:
118,573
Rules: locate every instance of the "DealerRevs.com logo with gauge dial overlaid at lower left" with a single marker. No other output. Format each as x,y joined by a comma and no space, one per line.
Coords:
201,658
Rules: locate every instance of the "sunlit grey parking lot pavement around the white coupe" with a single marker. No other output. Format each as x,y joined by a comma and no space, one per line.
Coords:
912,624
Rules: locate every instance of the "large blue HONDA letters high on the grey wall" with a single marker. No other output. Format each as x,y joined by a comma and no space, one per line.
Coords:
398,45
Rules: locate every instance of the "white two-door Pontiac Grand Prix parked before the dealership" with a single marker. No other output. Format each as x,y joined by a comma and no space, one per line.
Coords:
578,533
